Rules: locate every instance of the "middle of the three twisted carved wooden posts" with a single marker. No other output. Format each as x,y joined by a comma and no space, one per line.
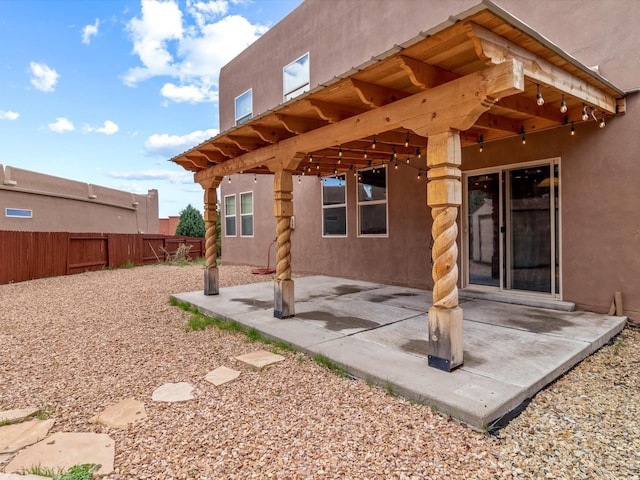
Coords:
284,305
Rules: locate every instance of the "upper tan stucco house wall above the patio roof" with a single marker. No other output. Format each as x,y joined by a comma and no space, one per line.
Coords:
341,34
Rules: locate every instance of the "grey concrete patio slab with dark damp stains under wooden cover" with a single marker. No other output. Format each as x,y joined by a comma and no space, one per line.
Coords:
379,332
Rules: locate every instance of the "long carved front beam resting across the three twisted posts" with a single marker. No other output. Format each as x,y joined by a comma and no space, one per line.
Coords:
454,105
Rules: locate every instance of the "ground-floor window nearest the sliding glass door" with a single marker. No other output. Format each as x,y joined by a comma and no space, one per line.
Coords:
372,202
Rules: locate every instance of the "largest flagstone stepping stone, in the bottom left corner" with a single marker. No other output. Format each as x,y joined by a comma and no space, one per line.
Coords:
63,450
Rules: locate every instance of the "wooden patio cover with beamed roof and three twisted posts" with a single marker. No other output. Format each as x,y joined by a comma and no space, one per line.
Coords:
476,79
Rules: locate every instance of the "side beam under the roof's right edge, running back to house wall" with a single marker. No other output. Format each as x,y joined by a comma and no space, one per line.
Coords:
495,49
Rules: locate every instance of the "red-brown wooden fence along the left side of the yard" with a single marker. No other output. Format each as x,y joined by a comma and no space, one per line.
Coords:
31,255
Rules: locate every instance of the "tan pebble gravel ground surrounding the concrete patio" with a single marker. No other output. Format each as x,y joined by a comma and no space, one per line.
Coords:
77,344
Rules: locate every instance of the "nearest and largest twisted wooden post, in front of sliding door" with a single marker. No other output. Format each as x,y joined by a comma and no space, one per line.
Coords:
444,196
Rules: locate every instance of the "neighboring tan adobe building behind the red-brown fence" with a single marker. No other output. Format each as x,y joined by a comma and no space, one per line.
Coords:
34,202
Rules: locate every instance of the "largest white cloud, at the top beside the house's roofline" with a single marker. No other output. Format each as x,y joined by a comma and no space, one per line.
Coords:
193,55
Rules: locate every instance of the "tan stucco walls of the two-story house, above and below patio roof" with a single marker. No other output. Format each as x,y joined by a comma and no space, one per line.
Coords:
599,167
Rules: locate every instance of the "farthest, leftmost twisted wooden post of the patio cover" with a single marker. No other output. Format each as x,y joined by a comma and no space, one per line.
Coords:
211,240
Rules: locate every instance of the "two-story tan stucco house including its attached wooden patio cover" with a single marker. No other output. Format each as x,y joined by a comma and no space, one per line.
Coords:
522,114
